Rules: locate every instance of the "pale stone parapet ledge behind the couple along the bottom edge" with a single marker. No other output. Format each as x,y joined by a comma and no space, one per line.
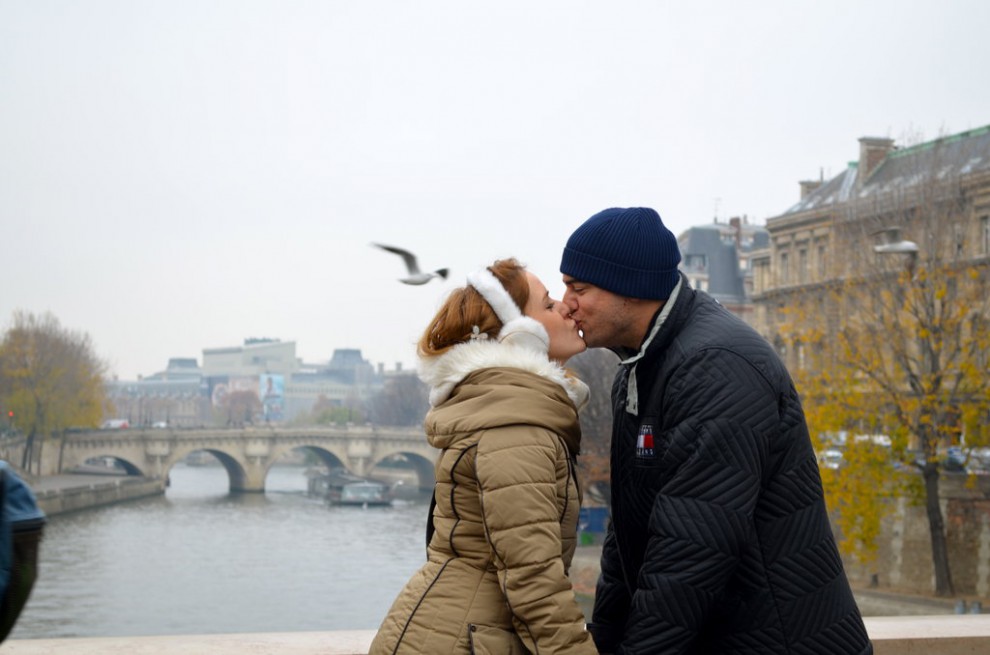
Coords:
891,635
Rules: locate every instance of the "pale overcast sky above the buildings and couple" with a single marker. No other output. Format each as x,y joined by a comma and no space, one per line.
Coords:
184,174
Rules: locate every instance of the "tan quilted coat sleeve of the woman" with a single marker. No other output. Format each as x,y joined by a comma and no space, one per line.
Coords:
518,470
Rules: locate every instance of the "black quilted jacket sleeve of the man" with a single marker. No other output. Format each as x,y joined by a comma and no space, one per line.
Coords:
723,412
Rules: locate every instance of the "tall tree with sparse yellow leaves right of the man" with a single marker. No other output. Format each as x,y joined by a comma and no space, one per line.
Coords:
897,339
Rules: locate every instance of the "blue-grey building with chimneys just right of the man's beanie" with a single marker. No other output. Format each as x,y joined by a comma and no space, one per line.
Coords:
716,259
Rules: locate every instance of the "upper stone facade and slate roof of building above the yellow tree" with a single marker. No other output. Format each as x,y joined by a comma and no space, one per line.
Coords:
836,223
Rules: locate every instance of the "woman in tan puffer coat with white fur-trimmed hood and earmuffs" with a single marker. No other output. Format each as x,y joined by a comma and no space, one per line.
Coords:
503,524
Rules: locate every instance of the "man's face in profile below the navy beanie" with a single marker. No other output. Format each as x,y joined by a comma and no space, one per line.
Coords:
600,315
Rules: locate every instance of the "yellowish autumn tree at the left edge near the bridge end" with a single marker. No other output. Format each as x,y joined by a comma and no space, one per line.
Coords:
51,379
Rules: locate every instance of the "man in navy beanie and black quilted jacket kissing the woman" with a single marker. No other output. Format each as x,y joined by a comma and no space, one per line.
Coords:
719,540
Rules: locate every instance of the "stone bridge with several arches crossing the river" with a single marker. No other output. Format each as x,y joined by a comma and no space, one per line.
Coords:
247,454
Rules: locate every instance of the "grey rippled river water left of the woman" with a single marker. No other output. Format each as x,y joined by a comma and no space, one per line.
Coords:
199,560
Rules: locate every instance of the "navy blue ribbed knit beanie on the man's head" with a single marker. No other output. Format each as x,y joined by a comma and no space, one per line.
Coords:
627,251
